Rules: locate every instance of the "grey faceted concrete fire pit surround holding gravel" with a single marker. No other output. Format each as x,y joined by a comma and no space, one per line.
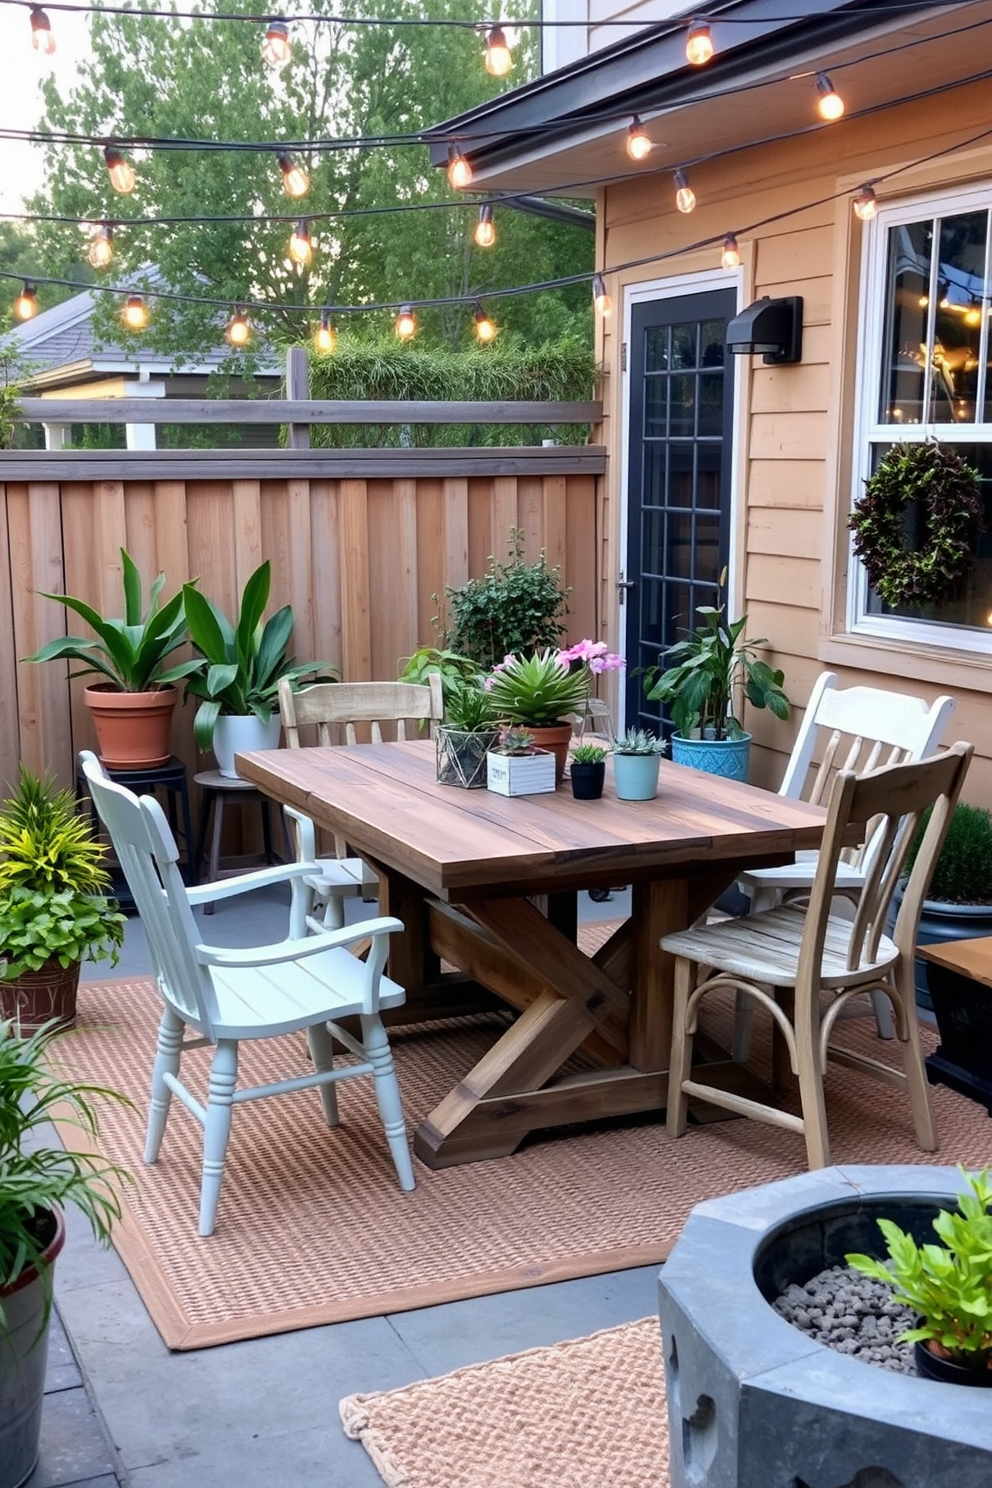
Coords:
756,1404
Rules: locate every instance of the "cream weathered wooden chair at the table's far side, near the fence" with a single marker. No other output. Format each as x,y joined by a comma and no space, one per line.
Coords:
332,711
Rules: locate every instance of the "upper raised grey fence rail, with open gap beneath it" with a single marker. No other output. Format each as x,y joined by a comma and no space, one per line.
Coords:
282,411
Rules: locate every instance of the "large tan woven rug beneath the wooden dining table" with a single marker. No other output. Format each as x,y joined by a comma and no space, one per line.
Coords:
313,1227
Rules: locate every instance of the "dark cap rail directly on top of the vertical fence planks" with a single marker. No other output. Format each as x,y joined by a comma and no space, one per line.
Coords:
329,465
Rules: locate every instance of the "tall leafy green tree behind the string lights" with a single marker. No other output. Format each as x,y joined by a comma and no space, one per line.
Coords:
206,81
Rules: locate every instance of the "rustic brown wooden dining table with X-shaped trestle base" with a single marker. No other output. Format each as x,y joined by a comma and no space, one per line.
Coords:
489,886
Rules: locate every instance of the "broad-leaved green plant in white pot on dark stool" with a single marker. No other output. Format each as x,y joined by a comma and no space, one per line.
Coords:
239,670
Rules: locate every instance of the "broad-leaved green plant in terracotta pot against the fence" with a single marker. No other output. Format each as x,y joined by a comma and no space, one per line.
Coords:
133,705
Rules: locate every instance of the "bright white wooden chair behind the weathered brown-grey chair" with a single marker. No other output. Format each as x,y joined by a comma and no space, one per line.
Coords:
856,730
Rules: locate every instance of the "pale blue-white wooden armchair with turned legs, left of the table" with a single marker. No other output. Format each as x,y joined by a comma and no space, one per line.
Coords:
227,996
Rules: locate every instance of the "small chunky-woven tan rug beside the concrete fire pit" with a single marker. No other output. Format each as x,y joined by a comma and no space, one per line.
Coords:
587,1414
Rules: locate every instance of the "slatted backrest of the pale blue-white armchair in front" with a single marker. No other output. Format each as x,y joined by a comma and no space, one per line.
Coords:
148,855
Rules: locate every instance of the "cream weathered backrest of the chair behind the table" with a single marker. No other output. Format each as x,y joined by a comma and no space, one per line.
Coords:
335,708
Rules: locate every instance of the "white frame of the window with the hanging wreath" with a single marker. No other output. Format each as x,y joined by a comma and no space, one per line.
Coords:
869,432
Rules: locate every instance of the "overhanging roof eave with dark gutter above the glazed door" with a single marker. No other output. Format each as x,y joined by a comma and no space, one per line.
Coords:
567,127
